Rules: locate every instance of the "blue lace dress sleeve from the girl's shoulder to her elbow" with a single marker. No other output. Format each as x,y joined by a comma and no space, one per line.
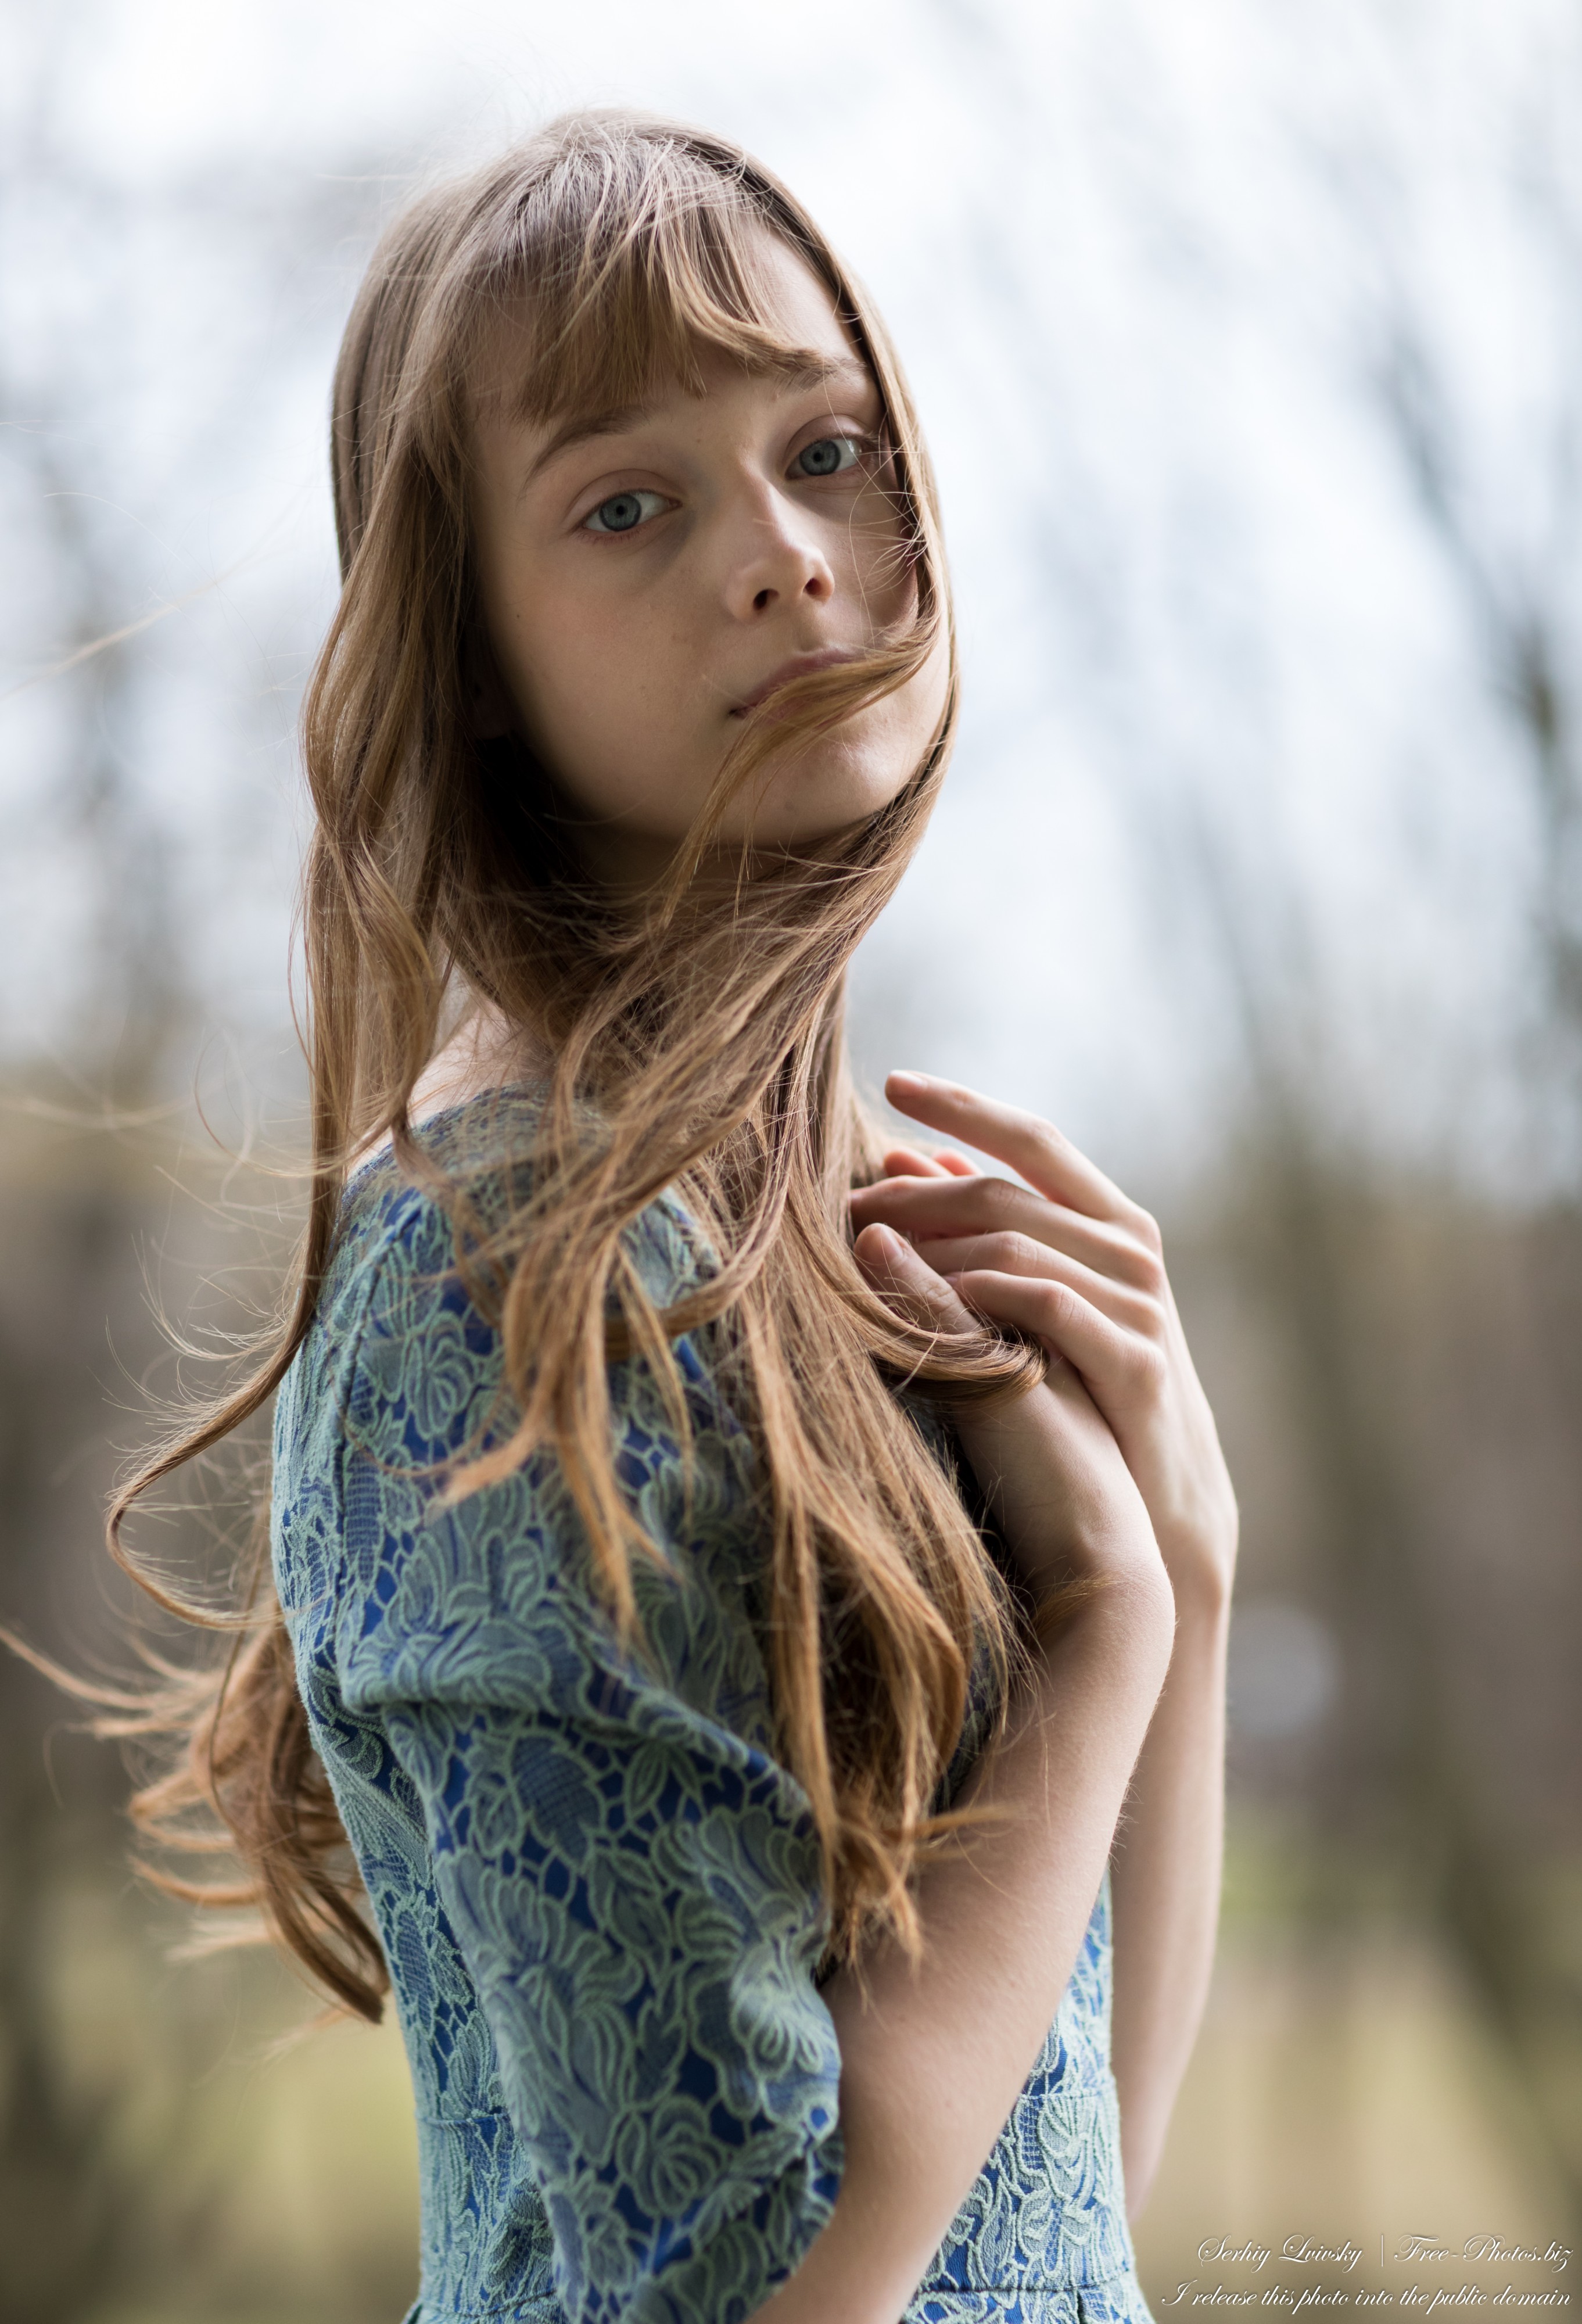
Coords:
631,1874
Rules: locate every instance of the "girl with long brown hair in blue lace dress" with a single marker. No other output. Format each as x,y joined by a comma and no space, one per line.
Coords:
728,1577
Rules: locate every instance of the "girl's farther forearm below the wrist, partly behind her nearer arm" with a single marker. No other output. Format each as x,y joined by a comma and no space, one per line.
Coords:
1167,1884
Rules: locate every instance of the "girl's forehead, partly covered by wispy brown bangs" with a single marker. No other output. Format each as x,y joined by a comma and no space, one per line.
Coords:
793,338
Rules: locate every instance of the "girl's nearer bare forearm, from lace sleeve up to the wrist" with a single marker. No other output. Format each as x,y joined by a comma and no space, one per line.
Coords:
933,2058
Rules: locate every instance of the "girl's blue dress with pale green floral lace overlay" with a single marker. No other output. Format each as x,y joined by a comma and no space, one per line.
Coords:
596,1884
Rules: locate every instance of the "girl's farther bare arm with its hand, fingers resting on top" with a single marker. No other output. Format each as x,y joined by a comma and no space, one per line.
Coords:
1072,1261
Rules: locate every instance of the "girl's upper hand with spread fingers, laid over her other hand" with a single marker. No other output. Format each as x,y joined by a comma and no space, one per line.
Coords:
1079,1268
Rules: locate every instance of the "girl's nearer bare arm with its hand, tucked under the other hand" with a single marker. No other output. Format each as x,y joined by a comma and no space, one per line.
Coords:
935,2058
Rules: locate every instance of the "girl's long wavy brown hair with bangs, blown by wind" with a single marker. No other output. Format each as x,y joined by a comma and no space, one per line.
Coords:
698,1045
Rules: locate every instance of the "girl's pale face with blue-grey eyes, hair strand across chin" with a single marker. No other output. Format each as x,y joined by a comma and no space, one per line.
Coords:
647,575
